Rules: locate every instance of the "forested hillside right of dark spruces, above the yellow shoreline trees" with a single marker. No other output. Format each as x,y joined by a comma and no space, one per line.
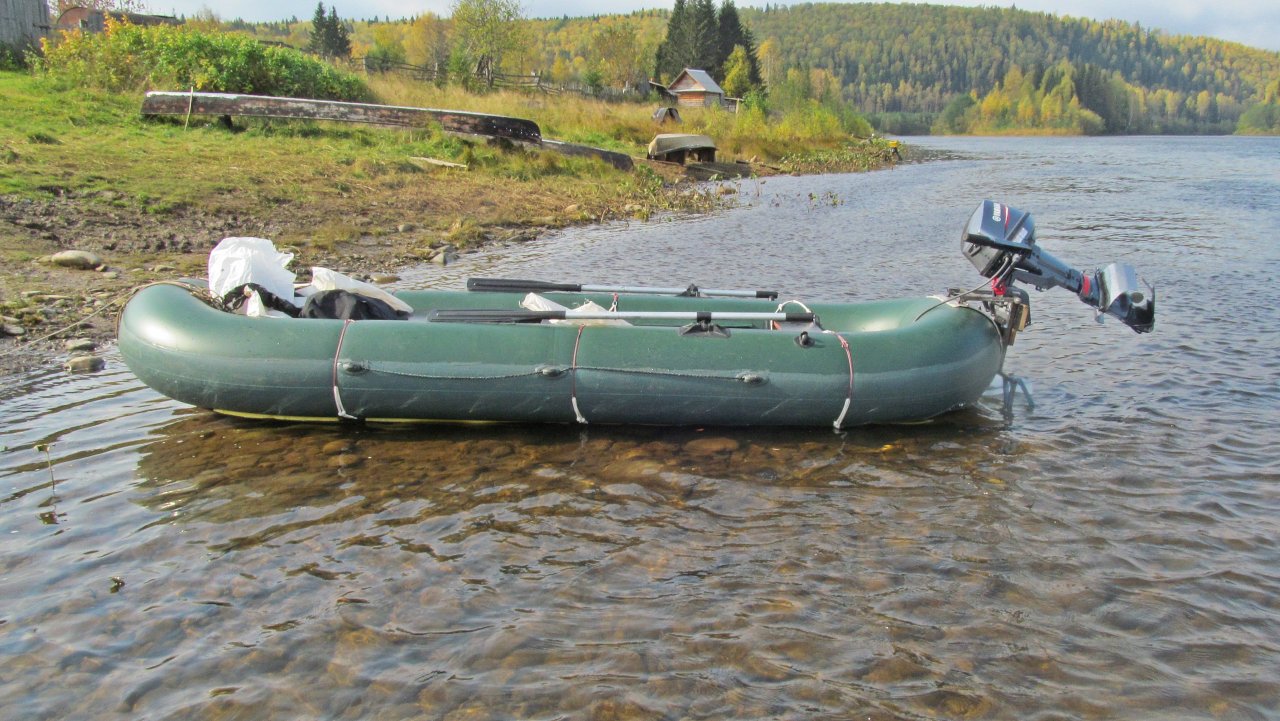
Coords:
918,57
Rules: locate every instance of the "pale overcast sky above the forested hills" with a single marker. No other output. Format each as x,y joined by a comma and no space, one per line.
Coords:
1252,22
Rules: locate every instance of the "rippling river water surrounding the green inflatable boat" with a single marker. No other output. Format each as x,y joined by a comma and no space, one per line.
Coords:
1113,553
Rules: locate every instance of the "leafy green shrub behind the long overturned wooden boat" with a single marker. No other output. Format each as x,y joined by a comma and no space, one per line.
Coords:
130,58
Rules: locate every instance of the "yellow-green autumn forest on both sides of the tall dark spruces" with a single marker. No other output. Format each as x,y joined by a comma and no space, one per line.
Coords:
911,69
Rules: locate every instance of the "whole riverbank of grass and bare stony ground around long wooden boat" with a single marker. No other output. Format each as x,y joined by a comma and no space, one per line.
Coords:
81,170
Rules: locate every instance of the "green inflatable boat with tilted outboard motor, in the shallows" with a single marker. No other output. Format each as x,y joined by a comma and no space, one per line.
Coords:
669,357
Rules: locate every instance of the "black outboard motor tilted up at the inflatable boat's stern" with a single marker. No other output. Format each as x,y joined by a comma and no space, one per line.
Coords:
1000,241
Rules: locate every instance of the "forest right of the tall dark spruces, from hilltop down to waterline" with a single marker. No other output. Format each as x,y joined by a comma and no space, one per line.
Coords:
917,60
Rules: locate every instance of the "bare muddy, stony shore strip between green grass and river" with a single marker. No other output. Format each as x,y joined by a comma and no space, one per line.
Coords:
74,259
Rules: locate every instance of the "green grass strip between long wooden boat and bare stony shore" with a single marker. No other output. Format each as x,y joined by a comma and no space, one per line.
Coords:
88,142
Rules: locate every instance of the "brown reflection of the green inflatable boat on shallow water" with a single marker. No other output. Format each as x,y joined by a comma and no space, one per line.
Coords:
275,469
